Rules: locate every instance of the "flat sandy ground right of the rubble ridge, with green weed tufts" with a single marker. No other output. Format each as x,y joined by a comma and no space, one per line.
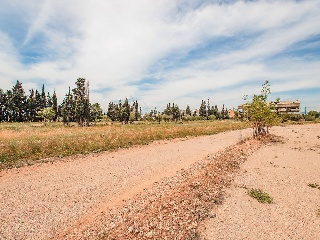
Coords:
284,172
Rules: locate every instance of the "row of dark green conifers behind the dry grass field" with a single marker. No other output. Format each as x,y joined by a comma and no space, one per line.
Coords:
17,106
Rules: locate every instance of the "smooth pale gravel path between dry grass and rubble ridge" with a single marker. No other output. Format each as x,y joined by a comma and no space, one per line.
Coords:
40,201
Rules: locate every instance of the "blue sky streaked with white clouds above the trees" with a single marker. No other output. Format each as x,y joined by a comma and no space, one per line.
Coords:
161,51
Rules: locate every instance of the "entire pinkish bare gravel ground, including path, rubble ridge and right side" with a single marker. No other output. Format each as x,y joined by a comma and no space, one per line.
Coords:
168,188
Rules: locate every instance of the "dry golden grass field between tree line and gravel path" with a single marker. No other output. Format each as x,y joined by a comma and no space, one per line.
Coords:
23,143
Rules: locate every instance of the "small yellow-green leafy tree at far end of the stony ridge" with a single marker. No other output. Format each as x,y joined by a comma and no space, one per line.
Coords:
261,113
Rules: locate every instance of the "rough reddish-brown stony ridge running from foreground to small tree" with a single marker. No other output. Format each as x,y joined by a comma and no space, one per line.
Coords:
174,207
